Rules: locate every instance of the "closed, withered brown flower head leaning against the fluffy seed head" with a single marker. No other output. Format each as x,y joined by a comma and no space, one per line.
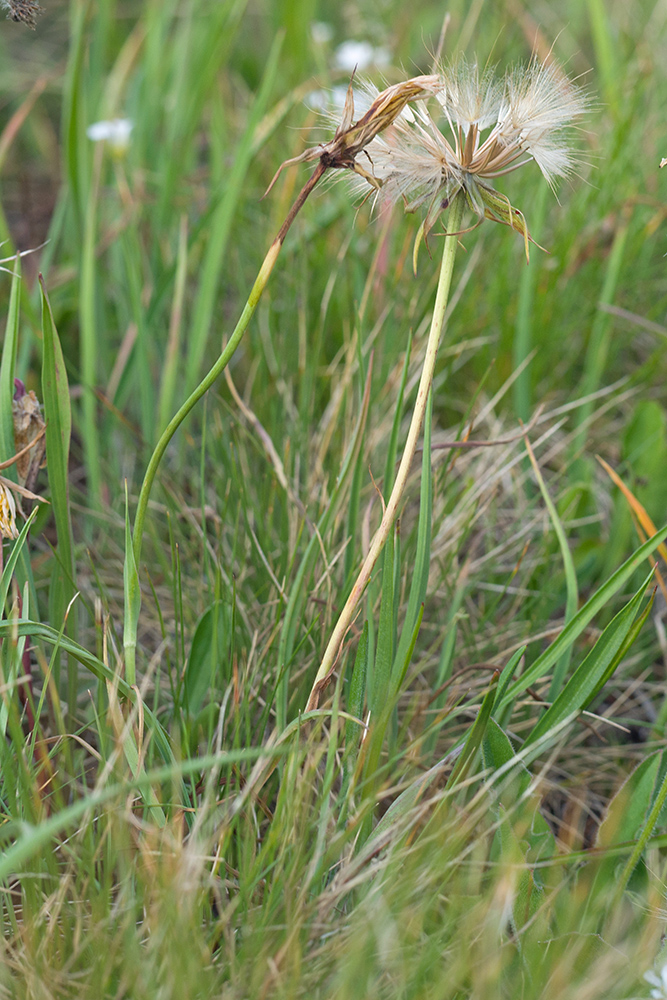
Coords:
351,138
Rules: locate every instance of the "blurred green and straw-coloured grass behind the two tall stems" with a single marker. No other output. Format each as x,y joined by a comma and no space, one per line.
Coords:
194,837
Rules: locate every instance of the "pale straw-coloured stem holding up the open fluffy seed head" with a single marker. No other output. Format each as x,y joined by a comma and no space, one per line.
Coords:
391,510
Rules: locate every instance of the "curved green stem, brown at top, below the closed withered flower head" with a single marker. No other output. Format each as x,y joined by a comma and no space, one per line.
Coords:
222,362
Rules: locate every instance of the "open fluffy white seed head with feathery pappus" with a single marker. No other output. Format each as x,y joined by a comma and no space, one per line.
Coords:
525,116
